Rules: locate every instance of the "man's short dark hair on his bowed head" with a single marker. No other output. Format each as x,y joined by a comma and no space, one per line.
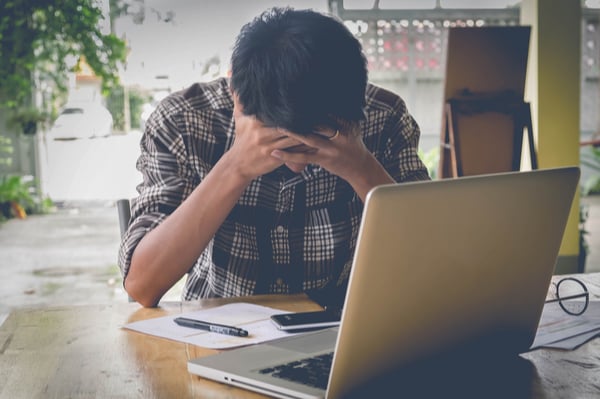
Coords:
299,69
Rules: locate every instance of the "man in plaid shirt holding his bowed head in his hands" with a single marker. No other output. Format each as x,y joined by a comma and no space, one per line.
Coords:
256,184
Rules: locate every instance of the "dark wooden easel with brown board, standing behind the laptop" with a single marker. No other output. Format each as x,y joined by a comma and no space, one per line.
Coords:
484,113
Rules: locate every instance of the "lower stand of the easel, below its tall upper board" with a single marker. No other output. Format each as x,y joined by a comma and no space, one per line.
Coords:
489,108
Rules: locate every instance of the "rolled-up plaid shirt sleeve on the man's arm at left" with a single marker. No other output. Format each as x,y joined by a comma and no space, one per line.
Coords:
166,179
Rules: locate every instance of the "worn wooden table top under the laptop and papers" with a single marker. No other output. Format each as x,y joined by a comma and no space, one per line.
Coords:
82,352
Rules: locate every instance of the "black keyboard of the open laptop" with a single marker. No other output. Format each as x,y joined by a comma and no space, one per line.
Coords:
311,371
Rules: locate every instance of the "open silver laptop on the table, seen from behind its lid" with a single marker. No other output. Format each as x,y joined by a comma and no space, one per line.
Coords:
459,266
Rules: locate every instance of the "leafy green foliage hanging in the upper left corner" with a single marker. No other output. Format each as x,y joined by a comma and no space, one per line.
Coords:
40,40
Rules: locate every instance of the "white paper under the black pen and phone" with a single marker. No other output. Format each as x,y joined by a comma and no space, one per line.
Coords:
253,318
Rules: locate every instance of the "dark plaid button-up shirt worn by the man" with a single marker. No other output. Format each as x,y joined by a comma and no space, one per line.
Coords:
288,232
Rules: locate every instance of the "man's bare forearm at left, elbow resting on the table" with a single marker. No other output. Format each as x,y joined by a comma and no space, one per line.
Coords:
166,253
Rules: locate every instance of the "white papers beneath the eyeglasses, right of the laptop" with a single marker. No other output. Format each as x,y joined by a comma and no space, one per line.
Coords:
559,330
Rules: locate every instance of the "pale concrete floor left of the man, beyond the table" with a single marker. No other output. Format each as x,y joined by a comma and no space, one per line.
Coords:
68,257
